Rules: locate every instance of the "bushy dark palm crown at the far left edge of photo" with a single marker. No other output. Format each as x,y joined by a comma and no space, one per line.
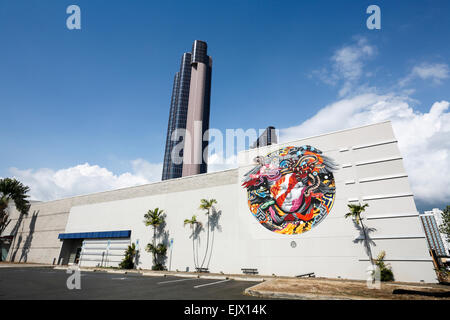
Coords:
11,189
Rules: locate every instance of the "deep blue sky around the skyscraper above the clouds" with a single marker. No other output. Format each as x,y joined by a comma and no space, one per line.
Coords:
100,95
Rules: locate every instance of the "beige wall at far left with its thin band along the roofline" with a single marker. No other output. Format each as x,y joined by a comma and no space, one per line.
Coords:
36,234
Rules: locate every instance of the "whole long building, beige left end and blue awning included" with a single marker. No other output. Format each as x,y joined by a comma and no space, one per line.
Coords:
370,171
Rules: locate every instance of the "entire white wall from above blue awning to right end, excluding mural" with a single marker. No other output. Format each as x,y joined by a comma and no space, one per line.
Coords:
371,171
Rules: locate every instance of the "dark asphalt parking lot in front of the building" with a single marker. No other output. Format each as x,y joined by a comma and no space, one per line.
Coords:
48,284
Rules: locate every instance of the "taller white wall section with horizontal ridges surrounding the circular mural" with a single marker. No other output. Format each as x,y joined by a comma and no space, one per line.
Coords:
372,172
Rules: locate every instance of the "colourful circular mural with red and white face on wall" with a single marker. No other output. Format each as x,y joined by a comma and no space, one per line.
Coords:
292,189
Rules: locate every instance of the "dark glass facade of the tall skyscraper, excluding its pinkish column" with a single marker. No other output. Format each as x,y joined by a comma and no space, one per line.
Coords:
179,109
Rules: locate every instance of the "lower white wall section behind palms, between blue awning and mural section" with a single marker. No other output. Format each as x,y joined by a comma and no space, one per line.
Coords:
129,215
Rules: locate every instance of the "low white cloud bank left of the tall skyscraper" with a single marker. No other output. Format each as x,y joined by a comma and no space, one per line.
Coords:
47,184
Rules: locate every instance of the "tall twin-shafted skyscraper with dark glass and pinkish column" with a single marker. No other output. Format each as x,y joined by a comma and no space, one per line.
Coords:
189,109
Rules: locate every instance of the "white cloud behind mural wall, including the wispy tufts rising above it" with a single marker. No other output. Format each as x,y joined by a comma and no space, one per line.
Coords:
424,137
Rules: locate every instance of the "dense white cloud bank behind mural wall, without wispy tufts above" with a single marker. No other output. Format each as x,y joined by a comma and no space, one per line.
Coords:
424,138
